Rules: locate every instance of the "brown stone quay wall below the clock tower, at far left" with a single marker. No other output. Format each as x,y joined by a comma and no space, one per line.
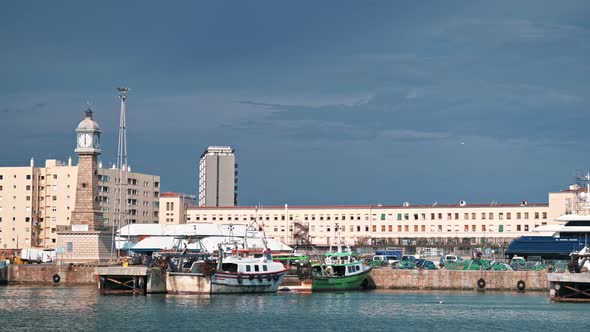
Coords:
43,274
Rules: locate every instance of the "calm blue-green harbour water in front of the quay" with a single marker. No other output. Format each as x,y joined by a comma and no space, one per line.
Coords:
82,308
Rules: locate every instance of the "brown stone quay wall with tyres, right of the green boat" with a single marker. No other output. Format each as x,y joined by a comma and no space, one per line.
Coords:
458,280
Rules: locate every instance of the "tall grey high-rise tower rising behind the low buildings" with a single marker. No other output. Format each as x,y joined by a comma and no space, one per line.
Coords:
218,177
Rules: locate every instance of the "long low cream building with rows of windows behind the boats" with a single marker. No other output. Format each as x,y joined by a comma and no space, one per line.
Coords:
406,224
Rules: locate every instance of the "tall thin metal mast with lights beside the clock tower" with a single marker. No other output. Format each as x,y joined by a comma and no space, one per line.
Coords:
122,165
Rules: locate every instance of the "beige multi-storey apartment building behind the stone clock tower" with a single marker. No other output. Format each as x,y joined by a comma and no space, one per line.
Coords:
35,201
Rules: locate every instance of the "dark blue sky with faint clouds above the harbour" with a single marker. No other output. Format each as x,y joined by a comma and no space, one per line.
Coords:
324,102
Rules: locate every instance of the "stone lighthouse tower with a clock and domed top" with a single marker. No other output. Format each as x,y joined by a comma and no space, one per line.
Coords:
87,239
